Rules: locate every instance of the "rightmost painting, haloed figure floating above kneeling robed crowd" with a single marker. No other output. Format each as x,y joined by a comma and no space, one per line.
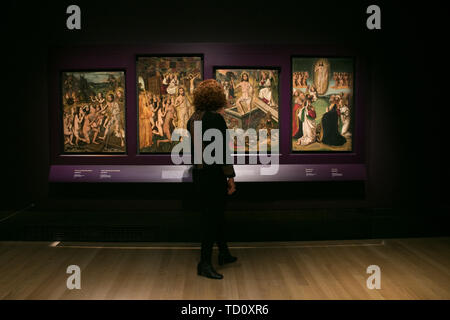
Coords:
322,104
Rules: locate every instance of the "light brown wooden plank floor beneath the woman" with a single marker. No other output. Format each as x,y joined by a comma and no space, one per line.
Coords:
410,269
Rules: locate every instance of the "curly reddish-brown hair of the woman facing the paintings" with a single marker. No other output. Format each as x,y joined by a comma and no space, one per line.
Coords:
209,96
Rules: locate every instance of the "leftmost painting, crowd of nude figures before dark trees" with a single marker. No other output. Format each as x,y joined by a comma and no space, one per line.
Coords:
94,112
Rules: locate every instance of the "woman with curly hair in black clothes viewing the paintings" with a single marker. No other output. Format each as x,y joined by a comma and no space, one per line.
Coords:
212,182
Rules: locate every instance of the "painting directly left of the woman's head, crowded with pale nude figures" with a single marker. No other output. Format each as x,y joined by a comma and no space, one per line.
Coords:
165,89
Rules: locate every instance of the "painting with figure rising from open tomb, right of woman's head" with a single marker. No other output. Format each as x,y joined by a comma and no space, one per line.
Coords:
252,96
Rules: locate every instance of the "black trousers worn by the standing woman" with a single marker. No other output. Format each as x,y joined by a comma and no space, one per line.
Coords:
211,190
